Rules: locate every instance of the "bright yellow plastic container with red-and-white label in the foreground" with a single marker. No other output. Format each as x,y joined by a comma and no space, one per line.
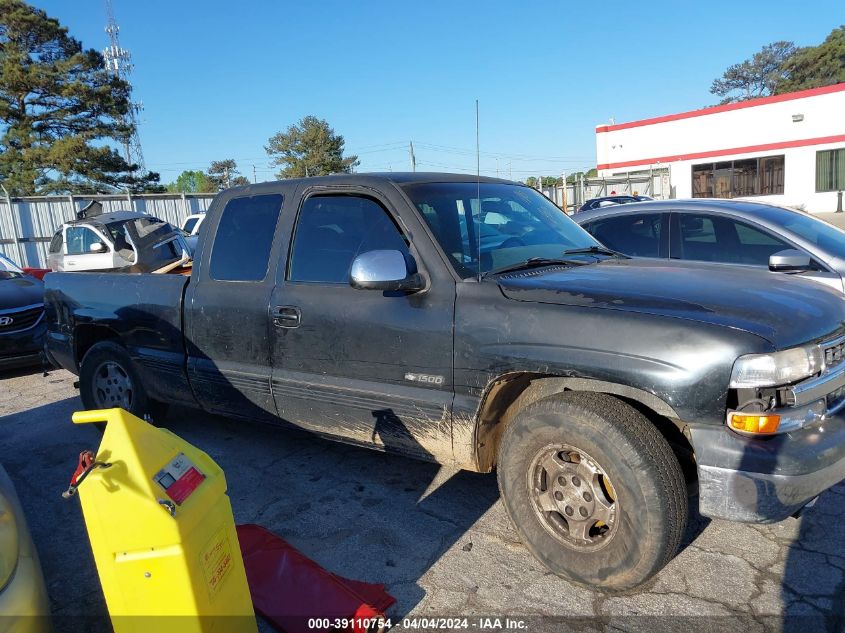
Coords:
162,532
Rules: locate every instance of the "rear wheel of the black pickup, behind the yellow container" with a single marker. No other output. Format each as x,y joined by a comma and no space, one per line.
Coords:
108,379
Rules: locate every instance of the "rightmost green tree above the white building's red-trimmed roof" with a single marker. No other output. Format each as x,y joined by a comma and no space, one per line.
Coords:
816,66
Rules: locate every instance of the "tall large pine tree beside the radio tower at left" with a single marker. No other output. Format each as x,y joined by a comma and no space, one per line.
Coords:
59,107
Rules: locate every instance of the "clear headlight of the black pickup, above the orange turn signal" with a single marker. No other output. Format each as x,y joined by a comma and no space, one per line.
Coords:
777,368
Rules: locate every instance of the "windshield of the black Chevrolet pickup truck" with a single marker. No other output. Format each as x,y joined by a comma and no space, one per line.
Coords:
516,224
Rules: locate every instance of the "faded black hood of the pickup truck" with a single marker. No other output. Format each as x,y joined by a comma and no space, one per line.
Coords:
783,309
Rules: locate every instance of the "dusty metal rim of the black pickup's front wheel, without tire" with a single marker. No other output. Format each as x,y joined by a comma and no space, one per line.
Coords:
573,498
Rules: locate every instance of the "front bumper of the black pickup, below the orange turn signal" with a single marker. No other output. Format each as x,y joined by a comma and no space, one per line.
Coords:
767,479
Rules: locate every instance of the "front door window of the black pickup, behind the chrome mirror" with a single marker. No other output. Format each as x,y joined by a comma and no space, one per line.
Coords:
333,230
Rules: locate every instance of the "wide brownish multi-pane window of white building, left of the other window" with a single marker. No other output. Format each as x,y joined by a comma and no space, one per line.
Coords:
734,178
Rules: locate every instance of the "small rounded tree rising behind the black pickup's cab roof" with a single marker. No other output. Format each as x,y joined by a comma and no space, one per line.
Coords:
309,148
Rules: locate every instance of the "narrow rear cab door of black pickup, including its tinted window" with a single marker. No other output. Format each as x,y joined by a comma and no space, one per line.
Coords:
227,310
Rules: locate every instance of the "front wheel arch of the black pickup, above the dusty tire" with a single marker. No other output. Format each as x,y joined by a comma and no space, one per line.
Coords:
509,393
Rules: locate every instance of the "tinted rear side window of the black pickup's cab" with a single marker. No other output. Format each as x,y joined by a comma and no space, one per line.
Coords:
241,250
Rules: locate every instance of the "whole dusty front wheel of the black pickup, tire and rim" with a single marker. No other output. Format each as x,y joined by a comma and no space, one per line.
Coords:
594,490
